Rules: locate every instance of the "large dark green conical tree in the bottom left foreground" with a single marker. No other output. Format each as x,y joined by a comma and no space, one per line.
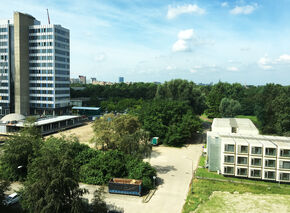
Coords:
52,181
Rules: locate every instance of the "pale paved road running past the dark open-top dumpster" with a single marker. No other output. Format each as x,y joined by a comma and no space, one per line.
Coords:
174,168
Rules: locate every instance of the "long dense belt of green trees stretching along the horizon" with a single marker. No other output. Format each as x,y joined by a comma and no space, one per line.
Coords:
270,103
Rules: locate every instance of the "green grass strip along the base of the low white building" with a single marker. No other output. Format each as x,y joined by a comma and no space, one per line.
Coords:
203,189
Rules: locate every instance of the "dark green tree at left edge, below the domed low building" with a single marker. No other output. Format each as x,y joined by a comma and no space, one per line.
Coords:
19,150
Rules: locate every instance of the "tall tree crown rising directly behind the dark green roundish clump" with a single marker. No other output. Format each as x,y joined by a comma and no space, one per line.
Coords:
182,90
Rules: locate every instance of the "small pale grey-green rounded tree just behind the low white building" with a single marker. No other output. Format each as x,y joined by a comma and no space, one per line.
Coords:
229,107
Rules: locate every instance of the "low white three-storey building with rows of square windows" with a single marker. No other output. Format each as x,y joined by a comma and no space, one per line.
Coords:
247,155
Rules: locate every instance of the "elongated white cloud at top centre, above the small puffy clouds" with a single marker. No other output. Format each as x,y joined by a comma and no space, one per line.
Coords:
173,12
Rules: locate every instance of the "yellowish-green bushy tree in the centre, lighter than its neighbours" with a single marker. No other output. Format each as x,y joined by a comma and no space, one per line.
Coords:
123,133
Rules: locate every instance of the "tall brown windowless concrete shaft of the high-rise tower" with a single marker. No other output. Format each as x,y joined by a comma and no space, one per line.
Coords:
21,47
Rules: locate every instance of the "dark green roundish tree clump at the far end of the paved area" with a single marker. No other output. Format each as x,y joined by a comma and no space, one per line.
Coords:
172,121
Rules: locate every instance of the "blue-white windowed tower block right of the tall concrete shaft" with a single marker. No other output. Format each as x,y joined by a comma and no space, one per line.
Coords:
49,67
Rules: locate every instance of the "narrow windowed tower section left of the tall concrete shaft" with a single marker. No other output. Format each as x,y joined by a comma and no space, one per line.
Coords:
6,66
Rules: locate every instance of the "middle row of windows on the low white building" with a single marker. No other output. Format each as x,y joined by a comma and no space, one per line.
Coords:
257,162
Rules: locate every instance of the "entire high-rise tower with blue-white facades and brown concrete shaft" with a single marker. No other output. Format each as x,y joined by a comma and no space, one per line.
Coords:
34,67
